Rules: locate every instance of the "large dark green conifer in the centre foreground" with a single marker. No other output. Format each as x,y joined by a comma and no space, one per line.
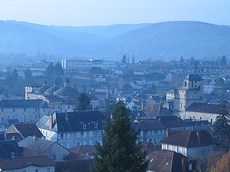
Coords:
119,151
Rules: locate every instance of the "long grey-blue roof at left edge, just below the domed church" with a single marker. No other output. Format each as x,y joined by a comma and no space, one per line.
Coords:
23,104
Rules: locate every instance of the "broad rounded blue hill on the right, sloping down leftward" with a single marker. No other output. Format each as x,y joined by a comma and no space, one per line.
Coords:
172,40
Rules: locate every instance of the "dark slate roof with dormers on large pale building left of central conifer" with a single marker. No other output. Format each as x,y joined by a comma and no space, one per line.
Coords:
73,121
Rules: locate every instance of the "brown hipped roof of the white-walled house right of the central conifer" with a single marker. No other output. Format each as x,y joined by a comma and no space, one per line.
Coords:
189,139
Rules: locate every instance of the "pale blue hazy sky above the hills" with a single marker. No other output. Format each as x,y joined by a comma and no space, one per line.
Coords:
106,12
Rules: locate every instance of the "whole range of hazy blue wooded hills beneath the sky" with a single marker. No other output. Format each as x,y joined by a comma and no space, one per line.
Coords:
167,40
